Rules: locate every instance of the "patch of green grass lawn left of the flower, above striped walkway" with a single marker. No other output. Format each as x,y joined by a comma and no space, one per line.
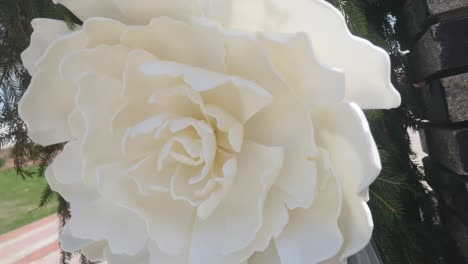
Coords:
19,200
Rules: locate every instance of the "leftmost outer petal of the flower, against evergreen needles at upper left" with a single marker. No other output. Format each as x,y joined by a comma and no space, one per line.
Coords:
48,124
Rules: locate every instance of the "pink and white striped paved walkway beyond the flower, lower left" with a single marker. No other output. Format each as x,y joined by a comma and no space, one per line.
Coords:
35,243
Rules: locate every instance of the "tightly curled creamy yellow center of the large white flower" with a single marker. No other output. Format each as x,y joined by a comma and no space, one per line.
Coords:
193,153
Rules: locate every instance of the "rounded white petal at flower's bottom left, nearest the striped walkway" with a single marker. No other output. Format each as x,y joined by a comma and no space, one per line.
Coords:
124,230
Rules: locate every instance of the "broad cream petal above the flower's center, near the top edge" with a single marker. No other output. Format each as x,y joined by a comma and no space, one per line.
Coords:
167,39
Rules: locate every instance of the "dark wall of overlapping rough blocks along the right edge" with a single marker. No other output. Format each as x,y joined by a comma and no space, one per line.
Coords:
438,58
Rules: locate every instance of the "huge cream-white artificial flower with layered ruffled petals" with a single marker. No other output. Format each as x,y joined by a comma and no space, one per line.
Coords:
220,132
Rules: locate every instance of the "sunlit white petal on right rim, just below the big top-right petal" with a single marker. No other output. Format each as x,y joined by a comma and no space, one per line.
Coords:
344,132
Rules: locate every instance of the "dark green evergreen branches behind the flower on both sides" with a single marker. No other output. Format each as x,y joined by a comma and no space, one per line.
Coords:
406,222
